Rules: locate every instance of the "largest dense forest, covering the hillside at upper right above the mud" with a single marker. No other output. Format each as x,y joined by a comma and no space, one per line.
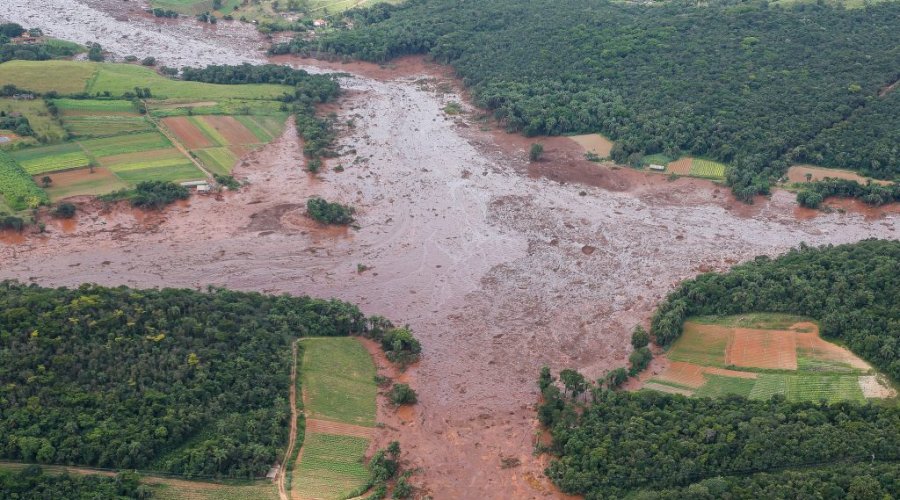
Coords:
752,84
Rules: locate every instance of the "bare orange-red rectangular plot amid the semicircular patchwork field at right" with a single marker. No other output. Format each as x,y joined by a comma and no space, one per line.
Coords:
762,349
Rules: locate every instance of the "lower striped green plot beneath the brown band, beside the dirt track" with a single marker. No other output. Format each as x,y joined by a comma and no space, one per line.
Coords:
331,466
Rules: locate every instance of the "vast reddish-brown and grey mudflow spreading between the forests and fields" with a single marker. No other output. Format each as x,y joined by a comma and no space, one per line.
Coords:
498,265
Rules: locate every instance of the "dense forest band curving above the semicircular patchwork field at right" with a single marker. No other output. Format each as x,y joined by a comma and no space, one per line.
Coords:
852,290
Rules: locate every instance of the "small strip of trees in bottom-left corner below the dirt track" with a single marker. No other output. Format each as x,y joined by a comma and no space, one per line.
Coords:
31,483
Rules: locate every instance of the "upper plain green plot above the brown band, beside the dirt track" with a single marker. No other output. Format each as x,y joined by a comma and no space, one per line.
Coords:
338,381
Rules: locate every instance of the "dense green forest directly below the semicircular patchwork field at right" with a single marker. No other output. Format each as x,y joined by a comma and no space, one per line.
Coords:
627,441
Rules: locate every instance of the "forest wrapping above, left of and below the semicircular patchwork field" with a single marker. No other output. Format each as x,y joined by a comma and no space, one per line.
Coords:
610,444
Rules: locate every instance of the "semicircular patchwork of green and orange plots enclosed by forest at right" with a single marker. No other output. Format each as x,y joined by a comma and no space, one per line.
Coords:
760,355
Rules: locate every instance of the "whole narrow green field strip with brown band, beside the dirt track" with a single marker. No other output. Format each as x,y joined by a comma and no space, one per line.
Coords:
339,391
